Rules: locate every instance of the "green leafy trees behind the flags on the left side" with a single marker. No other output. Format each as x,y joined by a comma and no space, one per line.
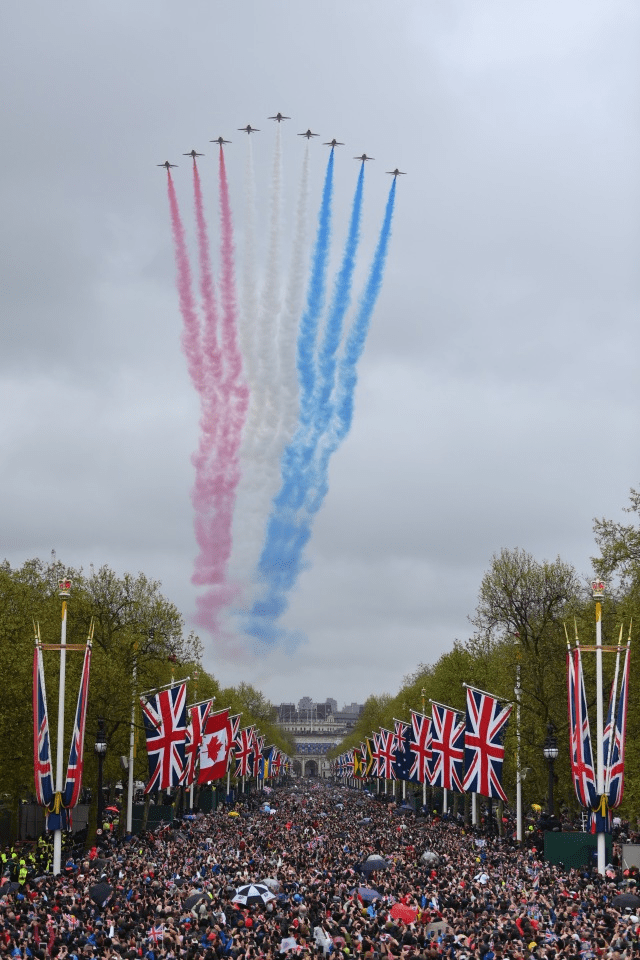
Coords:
139,644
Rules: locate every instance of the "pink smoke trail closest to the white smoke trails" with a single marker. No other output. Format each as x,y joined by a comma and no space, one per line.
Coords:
223,474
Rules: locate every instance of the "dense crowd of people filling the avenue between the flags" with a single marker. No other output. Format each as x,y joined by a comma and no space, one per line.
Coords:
434,890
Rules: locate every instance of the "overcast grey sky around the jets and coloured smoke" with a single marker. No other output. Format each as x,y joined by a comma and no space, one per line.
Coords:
497,403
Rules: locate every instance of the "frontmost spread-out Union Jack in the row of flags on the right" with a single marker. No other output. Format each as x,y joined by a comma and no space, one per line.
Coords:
486,722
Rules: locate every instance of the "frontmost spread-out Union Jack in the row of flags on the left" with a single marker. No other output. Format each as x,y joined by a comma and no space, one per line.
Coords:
165,720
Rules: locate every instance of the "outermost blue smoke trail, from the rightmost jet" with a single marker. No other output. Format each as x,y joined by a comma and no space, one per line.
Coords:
290,528
